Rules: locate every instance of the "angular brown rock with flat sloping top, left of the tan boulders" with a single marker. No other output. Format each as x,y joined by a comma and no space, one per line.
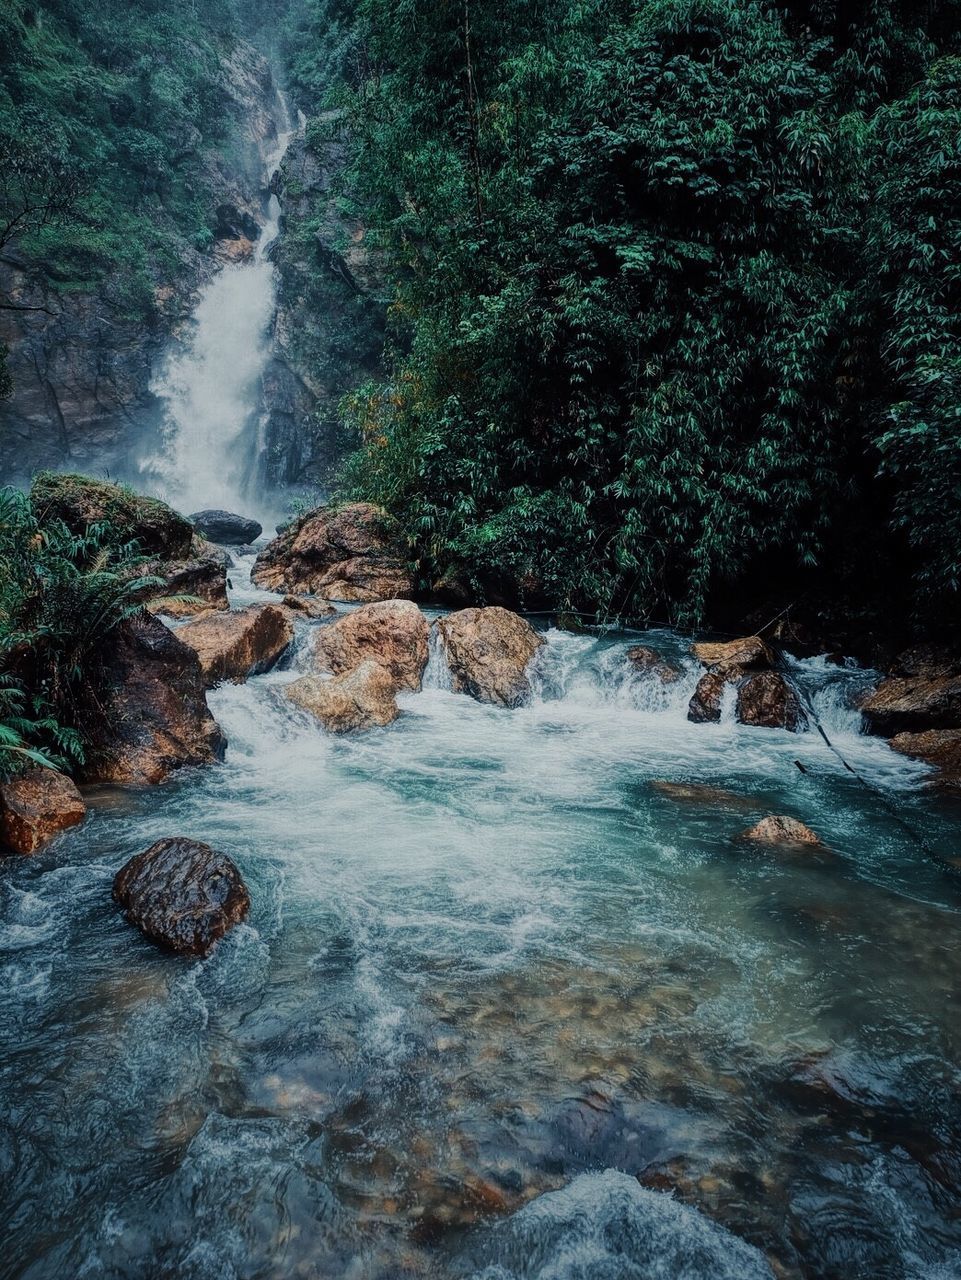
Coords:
240,644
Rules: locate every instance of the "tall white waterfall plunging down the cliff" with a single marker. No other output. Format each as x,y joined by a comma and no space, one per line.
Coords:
210,388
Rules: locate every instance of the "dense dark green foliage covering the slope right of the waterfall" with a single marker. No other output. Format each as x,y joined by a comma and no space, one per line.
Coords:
675,292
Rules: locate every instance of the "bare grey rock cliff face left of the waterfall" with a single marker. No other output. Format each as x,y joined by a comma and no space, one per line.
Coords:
83,359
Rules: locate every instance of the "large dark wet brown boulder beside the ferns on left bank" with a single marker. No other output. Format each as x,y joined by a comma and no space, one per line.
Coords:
153,716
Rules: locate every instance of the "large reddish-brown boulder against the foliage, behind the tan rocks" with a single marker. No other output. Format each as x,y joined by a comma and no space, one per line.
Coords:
354,554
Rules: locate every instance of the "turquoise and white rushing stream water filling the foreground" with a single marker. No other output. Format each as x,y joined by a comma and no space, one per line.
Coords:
493,977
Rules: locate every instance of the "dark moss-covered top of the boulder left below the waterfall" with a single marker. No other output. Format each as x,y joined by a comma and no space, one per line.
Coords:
81,502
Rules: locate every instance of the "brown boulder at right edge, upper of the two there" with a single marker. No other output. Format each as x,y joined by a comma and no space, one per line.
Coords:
923,693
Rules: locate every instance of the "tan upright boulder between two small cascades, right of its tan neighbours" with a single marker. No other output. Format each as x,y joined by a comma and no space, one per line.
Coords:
488,652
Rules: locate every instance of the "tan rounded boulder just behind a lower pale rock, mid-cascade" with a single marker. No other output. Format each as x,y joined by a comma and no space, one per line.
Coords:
393,633
